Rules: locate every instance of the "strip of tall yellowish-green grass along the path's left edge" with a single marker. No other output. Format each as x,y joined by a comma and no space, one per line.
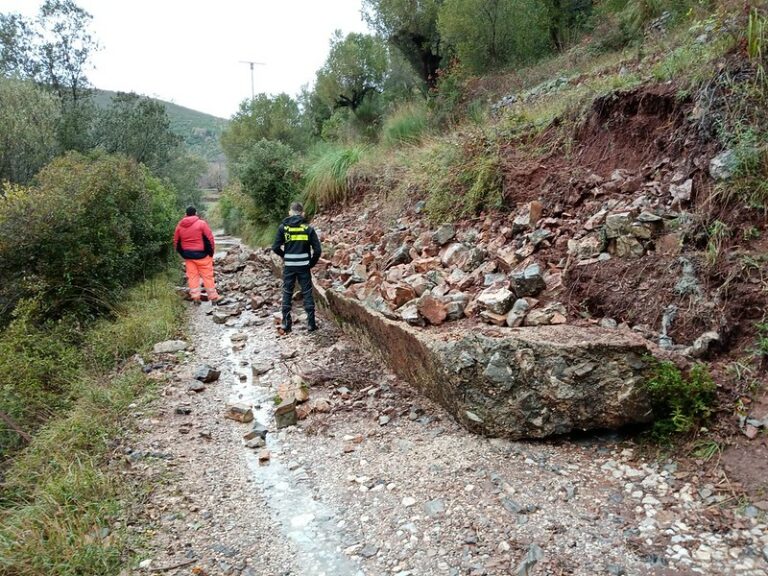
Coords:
63,509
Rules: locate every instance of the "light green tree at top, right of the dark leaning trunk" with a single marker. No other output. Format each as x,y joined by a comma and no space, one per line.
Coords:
489,34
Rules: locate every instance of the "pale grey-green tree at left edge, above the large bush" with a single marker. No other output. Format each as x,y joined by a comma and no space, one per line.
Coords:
28,129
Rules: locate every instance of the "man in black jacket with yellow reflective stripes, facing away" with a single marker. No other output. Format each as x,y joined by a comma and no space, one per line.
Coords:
297,244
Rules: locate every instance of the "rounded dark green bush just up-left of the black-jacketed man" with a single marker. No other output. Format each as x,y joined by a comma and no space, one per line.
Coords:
266,173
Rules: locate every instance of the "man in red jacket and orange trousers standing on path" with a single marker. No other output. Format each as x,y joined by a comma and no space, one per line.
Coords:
193,239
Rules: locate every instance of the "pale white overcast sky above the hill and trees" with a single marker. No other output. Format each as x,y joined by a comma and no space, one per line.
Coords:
188,51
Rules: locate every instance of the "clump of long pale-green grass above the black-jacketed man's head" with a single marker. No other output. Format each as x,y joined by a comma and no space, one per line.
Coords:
327,177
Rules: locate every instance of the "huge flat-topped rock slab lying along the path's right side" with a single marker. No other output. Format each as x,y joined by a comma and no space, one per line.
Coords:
528,383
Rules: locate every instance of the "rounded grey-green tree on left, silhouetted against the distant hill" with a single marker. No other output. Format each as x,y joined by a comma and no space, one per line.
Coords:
138,127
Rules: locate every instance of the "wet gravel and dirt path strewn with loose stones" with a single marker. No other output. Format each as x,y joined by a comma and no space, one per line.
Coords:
379,481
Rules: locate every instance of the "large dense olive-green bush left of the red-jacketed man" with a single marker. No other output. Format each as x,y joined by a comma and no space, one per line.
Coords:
88,227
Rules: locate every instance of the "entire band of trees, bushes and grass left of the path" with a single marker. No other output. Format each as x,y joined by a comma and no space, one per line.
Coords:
88,201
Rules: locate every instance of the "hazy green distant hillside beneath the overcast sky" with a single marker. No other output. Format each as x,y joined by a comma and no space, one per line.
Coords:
200,131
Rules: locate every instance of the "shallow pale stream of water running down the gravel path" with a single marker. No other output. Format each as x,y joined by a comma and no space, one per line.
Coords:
311,526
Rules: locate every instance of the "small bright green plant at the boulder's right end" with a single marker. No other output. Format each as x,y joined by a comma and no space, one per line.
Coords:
680,403
